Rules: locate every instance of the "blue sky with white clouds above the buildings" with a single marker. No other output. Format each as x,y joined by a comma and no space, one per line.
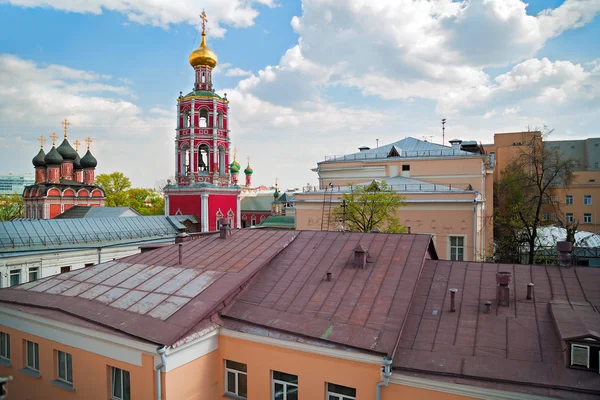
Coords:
305,78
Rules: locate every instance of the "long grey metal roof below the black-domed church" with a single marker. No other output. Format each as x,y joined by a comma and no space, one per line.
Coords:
27,235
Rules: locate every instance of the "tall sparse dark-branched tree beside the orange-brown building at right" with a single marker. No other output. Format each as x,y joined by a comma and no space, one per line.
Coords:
524,190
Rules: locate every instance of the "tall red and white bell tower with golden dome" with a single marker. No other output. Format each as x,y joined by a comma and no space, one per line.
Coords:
203,184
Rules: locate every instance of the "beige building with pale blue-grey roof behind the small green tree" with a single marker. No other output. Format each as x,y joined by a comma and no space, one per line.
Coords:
448,191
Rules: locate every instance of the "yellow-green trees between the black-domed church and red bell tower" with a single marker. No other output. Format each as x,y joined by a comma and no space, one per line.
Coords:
119,193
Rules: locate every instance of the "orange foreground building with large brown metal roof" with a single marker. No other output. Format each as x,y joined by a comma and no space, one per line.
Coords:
283,315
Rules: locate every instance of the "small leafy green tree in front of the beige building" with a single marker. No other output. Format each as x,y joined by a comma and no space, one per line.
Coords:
371,206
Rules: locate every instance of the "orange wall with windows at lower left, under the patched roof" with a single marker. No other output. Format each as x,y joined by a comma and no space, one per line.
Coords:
91,374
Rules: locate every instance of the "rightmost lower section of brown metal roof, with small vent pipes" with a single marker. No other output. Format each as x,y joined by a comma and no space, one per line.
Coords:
517,344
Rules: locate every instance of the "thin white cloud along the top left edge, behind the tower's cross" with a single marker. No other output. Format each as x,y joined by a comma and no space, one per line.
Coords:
163,13
